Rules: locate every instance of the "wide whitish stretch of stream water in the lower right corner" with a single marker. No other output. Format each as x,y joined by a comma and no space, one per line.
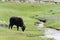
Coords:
51,33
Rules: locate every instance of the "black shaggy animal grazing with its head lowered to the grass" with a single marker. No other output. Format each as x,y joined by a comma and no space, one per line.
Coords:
18,22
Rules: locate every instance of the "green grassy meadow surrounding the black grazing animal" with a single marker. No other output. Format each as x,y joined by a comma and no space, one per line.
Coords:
26,11
